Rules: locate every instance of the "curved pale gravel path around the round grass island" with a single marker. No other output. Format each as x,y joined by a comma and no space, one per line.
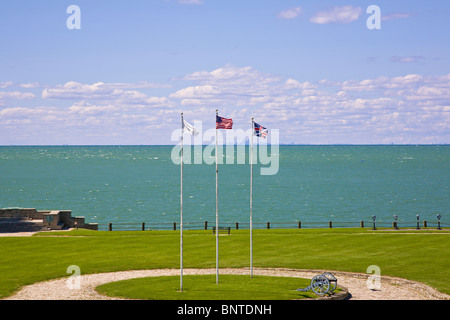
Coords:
356,283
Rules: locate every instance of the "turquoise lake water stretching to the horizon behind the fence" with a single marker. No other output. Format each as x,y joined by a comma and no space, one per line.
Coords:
135,184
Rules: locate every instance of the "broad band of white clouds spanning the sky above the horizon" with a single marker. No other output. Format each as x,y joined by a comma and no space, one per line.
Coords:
410,108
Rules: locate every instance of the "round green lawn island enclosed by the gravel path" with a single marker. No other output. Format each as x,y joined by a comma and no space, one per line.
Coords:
204,287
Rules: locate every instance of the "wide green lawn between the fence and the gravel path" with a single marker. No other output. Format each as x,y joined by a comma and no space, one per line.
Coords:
416,255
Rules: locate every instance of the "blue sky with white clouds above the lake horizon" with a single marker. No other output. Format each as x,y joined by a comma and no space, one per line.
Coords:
314,70
